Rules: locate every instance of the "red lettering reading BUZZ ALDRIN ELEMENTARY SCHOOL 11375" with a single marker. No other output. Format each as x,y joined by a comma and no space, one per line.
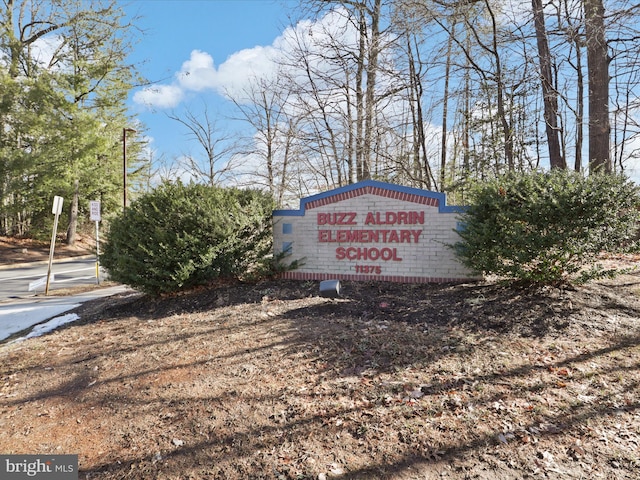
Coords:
368,235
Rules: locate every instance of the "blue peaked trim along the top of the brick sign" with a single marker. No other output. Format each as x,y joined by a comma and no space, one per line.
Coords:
441,197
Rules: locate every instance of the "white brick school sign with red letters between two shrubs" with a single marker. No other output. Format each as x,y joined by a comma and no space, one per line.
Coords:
371,231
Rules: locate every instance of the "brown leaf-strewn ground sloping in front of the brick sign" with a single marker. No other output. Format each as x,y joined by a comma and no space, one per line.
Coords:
389,381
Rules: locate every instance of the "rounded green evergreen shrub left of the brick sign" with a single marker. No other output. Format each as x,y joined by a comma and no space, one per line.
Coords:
180,236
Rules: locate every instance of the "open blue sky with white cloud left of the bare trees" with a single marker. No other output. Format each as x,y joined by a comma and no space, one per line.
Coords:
217,38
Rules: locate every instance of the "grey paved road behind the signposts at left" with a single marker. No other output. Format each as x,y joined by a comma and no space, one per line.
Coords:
14,282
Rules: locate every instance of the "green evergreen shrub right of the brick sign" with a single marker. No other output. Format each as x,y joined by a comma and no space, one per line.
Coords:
548,227
